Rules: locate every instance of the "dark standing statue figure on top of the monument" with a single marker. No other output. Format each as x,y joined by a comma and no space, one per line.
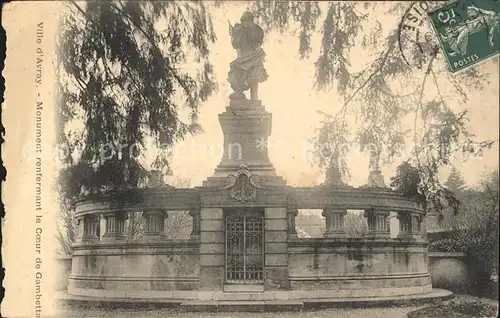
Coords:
247,70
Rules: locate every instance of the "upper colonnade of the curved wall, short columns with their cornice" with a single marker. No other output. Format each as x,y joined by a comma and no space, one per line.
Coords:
156,202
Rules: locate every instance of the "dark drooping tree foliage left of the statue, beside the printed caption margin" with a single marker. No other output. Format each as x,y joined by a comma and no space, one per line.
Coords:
121,76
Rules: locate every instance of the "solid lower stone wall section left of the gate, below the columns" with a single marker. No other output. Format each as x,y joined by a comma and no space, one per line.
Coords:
135,269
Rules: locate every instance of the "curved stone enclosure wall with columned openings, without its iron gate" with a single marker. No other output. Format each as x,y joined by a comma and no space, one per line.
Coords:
108,264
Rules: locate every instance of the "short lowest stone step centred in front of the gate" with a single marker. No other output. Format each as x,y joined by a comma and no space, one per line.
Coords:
242,306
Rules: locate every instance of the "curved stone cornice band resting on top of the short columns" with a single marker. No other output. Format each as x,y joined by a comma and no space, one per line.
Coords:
302,198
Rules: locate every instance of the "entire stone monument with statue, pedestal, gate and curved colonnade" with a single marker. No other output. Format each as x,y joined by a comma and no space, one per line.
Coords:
244,243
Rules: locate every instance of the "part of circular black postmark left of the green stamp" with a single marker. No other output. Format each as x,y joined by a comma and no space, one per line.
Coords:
418,43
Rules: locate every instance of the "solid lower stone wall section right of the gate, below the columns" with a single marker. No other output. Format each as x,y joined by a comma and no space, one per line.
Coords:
357,268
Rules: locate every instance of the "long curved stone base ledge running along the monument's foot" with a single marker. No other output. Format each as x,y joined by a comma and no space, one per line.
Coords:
261,302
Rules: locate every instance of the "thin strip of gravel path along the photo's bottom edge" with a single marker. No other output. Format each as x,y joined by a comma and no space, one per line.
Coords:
395,312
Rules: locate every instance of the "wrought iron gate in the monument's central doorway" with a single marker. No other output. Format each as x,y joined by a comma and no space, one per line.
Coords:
244,249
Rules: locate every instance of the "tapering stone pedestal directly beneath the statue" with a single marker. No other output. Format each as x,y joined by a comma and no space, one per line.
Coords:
246,127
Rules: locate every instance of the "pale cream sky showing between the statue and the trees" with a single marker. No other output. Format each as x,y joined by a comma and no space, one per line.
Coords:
293,101
